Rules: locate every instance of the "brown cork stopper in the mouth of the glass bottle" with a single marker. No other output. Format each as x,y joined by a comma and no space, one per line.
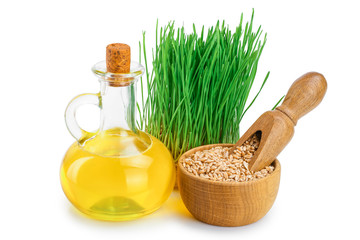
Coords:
118,60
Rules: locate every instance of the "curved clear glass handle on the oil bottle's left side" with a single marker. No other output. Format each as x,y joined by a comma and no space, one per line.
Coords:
70,115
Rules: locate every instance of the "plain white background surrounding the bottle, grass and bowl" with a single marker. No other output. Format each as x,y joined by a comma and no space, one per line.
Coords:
47,49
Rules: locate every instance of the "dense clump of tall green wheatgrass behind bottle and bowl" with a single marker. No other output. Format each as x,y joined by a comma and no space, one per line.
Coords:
199,84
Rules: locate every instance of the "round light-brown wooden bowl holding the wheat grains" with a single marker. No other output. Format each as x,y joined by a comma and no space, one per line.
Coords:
227,203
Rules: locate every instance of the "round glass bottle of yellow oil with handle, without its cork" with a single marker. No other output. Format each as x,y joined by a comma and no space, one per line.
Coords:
118,172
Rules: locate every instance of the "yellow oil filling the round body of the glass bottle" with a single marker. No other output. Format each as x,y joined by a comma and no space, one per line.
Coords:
118,175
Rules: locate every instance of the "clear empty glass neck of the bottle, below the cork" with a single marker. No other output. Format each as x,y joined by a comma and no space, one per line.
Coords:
118,107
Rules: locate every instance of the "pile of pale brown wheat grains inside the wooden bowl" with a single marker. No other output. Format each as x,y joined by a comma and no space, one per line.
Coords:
217,164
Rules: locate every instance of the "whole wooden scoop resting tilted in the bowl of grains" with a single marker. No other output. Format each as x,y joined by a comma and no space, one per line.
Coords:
276,128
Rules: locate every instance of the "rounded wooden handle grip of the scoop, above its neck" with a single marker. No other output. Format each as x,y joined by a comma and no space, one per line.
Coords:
304,95
